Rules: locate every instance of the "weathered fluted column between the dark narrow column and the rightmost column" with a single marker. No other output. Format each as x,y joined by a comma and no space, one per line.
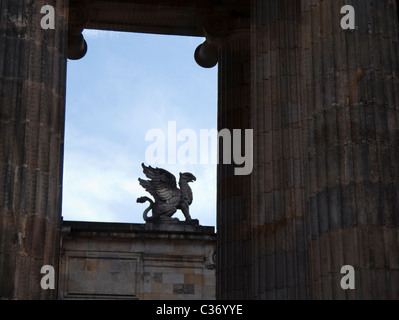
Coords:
278,221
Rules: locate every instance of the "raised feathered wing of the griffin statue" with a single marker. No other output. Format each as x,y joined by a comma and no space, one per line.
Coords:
162,185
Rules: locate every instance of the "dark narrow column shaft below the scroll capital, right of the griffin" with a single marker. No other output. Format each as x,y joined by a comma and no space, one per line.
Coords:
233,210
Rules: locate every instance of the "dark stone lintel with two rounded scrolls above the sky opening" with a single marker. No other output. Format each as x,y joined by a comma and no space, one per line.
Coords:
218,22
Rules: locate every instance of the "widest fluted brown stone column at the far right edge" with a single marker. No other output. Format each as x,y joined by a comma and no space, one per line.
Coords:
352,92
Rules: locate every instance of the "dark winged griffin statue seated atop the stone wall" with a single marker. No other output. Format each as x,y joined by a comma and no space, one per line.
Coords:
168,198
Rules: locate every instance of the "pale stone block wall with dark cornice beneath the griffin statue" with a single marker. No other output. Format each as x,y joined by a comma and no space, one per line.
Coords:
136,261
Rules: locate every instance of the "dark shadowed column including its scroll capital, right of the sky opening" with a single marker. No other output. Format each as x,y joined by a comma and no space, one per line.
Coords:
228,42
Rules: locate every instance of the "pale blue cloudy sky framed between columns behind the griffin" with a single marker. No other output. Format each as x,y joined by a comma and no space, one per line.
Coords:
127,84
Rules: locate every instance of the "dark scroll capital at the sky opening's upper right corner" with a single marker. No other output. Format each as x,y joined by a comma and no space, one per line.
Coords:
218,29
